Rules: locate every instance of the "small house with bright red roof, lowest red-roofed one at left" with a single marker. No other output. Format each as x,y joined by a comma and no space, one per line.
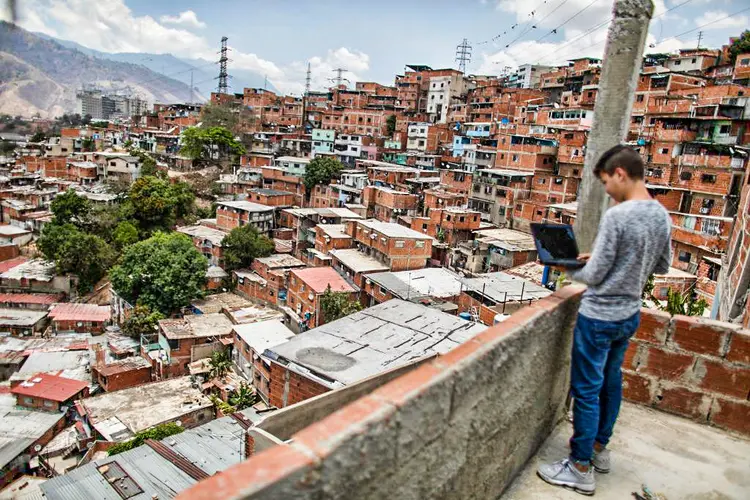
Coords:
48,392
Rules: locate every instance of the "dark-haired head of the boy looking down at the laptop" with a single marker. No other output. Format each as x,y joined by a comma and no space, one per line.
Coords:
619,169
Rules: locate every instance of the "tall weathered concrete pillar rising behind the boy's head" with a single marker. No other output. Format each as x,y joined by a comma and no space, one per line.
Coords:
622,63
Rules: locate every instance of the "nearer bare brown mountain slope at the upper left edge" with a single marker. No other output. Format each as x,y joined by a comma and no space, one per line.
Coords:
39,75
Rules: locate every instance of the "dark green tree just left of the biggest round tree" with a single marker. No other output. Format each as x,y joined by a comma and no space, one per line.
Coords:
86,255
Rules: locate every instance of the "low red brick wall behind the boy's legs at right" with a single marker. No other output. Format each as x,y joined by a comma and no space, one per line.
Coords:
693,367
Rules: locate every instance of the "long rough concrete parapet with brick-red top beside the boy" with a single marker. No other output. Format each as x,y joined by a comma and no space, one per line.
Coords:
461,426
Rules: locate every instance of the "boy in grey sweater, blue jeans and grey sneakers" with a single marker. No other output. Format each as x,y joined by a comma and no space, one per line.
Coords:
632,243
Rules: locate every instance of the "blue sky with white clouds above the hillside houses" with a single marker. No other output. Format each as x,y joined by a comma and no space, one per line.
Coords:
373,41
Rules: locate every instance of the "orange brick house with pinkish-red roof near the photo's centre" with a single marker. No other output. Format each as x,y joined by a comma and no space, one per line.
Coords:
305,288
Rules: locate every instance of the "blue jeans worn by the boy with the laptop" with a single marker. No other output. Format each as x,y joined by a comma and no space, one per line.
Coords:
596,380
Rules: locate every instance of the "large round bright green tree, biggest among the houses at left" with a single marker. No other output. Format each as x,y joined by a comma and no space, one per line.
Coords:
165,272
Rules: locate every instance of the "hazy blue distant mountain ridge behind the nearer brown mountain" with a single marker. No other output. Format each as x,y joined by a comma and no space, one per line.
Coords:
204,72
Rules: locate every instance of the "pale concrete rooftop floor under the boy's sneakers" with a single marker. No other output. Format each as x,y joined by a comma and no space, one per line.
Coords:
676,457
